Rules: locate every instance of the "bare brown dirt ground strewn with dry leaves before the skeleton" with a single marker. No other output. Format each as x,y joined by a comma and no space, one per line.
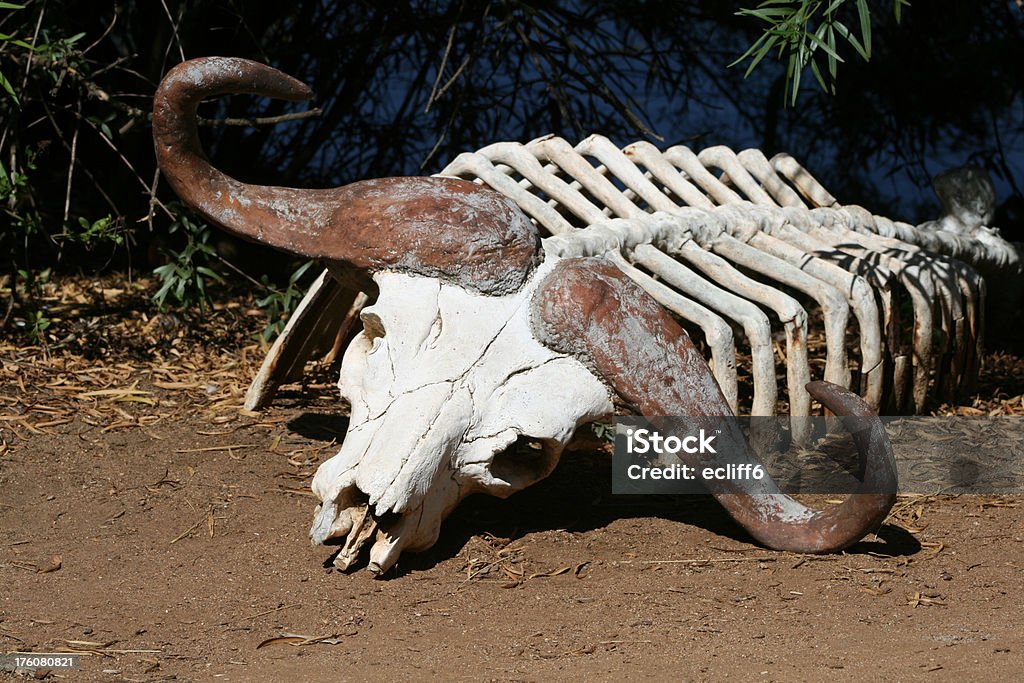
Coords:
151,525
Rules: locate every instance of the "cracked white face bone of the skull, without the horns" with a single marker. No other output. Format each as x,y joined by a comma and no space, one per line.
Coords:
444,386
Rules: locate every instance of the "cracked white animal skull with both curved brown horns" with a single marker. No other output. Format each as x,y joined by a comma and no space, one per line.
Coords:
479,340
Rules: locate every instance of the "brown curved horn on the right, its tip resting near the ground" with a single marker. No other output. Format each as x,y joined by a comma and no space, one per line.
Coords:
587,308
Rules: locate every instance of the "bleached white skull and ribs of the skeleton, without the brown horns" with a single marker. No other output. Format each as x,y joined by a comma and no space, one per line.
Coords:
452,382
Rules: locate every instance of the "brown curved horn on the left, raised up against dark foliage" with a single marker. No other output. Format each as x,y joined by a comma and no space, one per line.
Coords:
441,228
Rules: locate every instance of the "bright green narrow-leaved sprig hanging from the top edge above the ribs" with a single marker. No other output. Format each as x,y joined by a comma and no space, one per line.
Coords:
800,44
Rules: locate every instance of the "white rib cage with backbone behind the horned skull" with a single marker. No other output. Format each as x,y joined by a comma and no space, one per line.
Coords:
744,250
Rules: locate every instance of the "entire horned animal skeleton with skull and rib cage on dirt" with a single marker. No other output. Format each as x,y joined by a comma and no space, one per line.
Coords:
482,338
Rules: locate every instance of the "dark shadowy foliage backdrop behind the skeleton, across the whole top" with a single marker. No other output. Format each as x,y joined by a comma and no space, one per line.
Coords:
404,88
